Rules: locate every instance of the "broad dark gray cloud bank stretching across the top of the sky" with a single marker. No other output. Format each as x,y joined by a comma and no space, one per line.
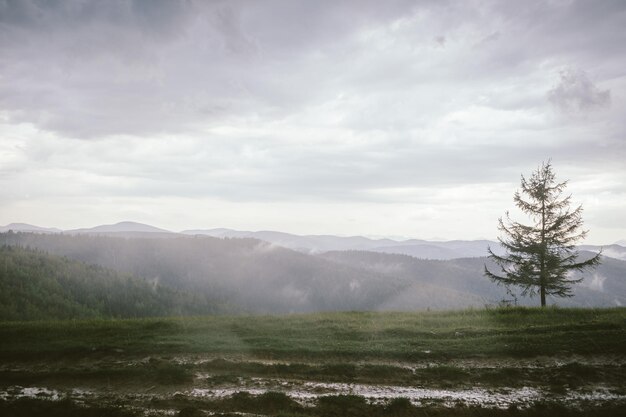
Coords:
88,69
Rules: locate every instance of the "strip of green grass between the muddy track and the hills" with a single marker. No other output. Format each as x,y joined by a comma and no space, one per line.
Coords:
512,332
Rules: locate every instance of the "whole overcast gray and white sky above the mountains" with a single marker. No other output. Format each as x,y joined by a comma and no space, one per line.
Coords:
399,118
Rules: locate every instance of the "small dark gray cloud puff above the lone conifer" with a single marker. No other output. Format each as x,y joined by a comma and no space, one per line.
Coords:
576,93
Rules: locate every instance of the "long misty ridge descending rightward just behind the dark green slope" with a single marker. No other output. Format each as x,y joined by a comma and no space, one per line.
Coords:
250,274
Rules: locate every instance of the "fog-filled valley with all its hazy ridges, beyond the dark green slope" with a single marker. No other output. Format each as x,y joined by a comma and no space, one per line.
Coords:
273,272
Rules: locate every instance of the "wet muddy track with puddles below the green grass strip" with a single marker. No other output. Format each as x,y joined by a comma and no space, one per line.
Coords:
167,385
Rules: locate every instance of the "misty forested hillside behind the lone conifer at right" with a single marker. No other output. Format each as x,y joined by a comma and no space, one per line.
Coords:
432,283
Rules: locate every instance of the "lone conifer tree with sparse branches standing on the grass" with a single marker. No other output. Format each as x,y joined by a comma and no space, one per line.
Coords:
539,257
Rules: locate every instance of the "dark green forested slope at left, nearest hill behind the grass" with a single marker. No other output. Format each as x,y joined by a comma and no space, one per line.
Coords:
35,285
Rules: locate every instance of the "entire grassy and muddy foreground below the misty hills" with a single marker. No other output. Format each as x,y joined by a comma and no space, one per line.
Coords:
497,362
